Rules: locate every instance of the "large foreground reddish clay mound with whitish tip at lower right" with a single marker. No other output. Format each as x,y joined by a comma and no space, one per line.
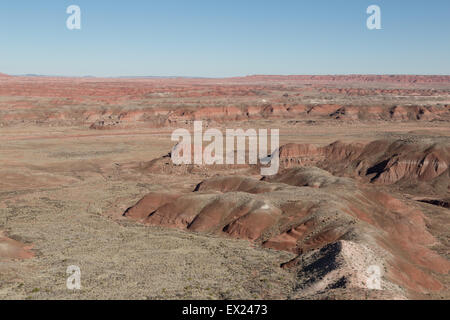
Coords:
307,209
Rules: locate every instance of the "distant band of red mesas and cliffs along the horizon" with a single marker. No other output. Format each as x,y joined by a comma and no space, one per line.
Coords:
156,102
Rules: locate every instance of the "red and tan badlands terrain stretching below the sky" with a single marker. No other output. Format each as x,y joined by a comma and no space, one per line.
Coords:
86,179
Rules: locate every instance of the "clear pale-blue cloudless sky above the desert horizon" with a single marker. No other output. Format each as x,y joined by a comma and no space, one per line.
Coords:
220,38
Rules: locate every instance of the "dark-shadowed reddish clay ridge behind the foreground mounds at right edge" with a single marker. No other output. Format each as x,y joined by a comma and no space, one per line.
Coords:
382,162
